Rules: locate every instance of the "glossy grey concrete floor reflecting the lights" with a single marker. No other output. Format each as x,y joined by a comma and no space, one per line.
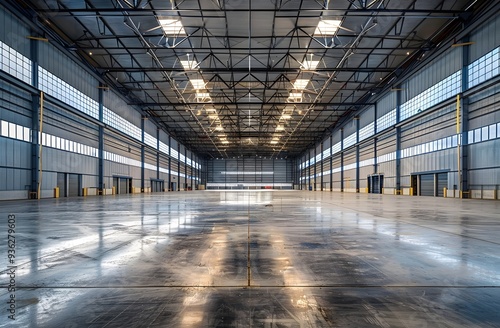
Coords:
316,259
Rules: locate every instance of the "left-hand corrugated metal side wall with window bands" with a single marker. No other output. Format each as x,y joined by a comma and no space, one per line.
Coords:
89,141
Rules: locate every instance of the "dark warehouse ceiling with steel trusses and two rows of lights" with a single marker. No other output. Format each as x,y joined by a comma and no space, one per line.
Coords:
242,78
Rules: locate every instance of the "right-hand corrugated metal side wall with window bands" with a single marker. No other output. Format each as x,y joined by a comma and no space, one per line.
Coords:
435,134
